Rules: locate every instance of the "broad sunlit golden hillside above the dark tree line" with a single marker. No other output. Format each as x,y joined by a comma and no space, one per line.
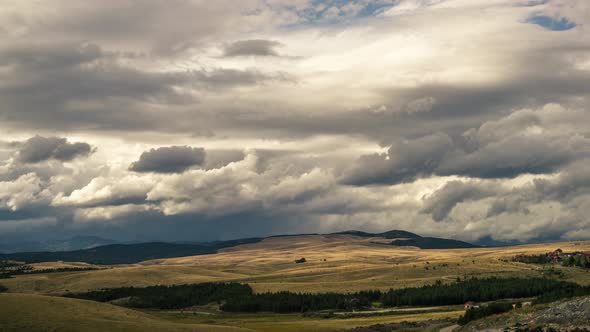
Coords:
339,263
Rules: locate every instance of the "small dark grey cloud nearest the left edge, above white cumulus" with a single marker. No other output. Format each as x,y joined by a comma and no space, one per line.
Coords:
38,148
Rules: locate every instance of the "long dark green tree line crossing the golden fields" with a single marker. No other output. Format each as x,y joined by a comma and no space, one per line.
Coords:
236,297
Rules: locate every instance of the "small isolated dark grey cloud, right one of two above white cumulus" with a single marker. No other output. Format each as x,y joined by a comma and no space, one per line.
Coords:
174,159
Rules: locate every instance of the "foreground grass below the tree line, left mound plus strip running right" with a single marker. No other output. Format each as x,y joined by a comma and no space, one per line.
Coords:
19,312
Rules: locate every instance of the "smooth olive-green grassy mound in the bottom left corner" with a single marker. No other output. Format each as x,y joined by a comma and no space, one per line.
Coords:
27,312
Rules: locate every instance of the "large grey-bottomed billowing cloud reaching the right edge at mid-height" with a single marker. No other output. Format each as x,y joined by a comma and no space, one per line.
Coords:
524,142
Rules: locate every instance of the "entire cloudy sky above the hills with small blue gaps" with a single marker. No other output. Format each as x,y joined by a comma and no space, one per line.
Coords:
197,120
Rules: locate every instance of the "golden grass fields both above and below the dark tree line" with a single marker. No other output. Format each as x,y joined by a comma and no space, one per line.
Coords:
338,263
